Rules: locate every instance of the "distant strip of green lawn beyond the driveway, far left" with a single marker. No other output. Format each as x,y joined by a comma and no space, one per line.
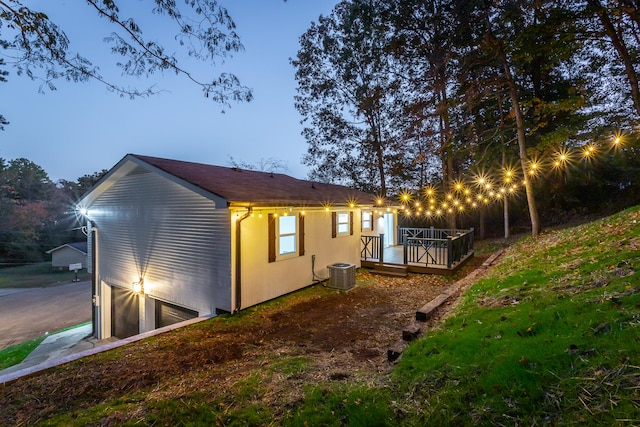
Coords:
37,275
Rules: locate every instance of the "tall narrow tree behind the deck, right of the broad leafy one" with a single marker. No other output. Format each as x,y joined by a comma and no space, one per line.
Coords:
428,59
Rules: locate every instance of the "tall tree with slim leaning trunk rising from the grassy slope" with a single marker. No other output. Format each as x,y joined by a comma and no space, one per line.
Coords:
521,39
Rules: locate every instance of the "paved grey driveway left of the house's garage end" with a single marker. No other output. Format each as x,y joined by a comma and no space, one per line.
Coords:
30,313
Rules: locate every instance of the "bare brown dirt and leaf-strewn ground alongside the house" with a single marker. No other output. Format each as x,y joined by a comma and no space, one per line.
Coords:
341,336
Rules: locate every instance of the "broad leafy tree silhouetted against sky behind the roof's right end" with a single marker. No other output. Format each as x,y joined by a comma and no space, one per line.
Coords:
348,98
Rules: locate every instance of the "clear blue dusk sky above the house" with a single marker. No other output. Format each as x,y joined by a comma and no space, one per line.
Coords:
83,128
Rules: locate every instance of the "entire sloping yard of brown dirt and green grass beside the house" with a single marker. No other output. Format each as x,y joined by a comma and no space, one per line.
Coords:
550,336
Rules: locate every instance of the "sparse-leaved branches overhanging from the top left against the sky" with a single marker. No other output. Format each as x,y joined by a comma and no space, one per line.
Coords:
205,31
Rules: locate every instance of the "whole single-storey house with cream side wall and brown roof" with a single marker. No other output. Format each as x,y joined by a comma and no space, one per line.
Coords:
172,240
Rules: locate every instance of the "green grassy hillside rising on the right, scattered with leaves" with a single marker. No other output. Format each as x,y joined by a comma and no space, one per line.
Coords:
552,335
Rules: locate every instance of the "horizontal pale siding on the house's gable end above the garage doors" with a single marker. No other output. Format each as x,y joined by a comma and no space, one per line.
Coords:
181,246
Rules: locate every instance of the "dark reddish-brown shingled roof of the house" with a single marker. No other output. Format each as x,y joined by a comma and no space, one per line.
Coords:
247,187
